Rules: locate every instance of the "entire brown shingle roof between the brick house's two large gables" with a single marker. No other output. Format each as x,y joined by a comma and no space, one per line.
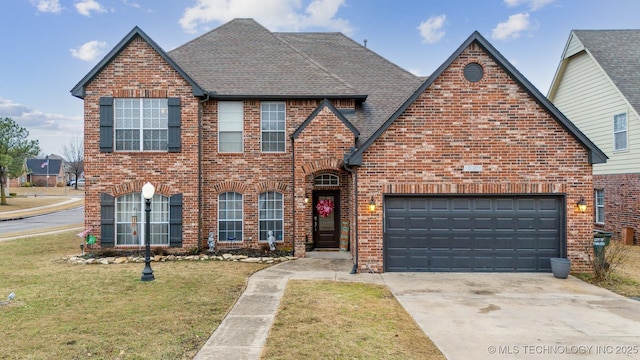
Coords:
243,59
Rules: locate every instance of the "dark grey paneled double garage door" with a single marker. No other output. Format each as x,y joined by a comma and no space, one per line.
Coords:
480,233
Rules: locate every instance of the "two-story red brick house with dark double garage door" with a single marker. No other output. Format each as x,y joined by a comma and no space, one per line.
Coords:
315,138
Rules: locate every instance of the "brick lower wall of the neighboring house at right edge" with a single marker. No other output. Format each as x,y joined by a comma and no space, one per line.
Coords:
621,204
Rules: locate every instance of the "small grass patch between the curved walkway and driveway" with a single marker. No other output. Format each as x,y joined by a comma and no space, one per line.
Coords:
336,320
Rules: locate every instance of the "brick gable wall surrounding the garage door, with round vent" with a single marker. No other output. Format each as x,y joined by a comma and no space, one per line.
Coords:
492,123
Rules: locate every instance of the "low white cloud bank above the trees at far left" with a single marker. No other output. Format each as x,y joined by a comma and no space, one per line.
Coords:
52,131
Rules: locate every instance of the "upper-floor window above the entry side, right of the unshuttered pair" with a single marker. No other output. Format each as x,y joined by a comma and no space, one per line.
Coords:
273,121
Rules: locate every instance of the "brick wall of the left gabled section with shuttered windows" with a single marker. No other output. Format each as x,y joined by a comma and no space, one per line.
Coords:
138,71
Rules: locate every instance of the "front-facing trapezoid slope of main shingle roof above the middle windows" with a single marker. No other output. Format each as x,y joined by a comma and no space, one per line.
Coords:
242,58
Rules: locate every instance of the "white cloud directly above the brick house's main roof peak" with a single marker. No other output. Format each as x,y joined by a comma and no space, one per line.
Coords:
276,15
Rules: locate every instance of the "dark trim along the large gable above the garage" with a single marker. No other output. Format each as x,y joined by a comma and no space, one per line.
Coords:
595,154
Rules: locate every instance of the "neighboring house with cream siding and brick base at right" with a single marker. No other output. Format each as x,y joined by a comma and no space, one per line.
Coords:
597,86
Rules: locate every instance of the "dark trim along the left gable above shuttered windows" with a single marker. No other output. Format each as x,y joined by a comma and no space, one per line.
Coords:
79,89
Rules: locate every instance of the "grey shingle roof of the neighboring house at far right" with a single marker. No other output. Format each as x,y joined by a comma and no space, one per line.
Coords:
618,53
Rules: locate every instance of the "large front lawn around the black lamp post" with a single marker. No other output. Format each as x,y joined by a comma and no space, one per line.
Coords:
65,311
